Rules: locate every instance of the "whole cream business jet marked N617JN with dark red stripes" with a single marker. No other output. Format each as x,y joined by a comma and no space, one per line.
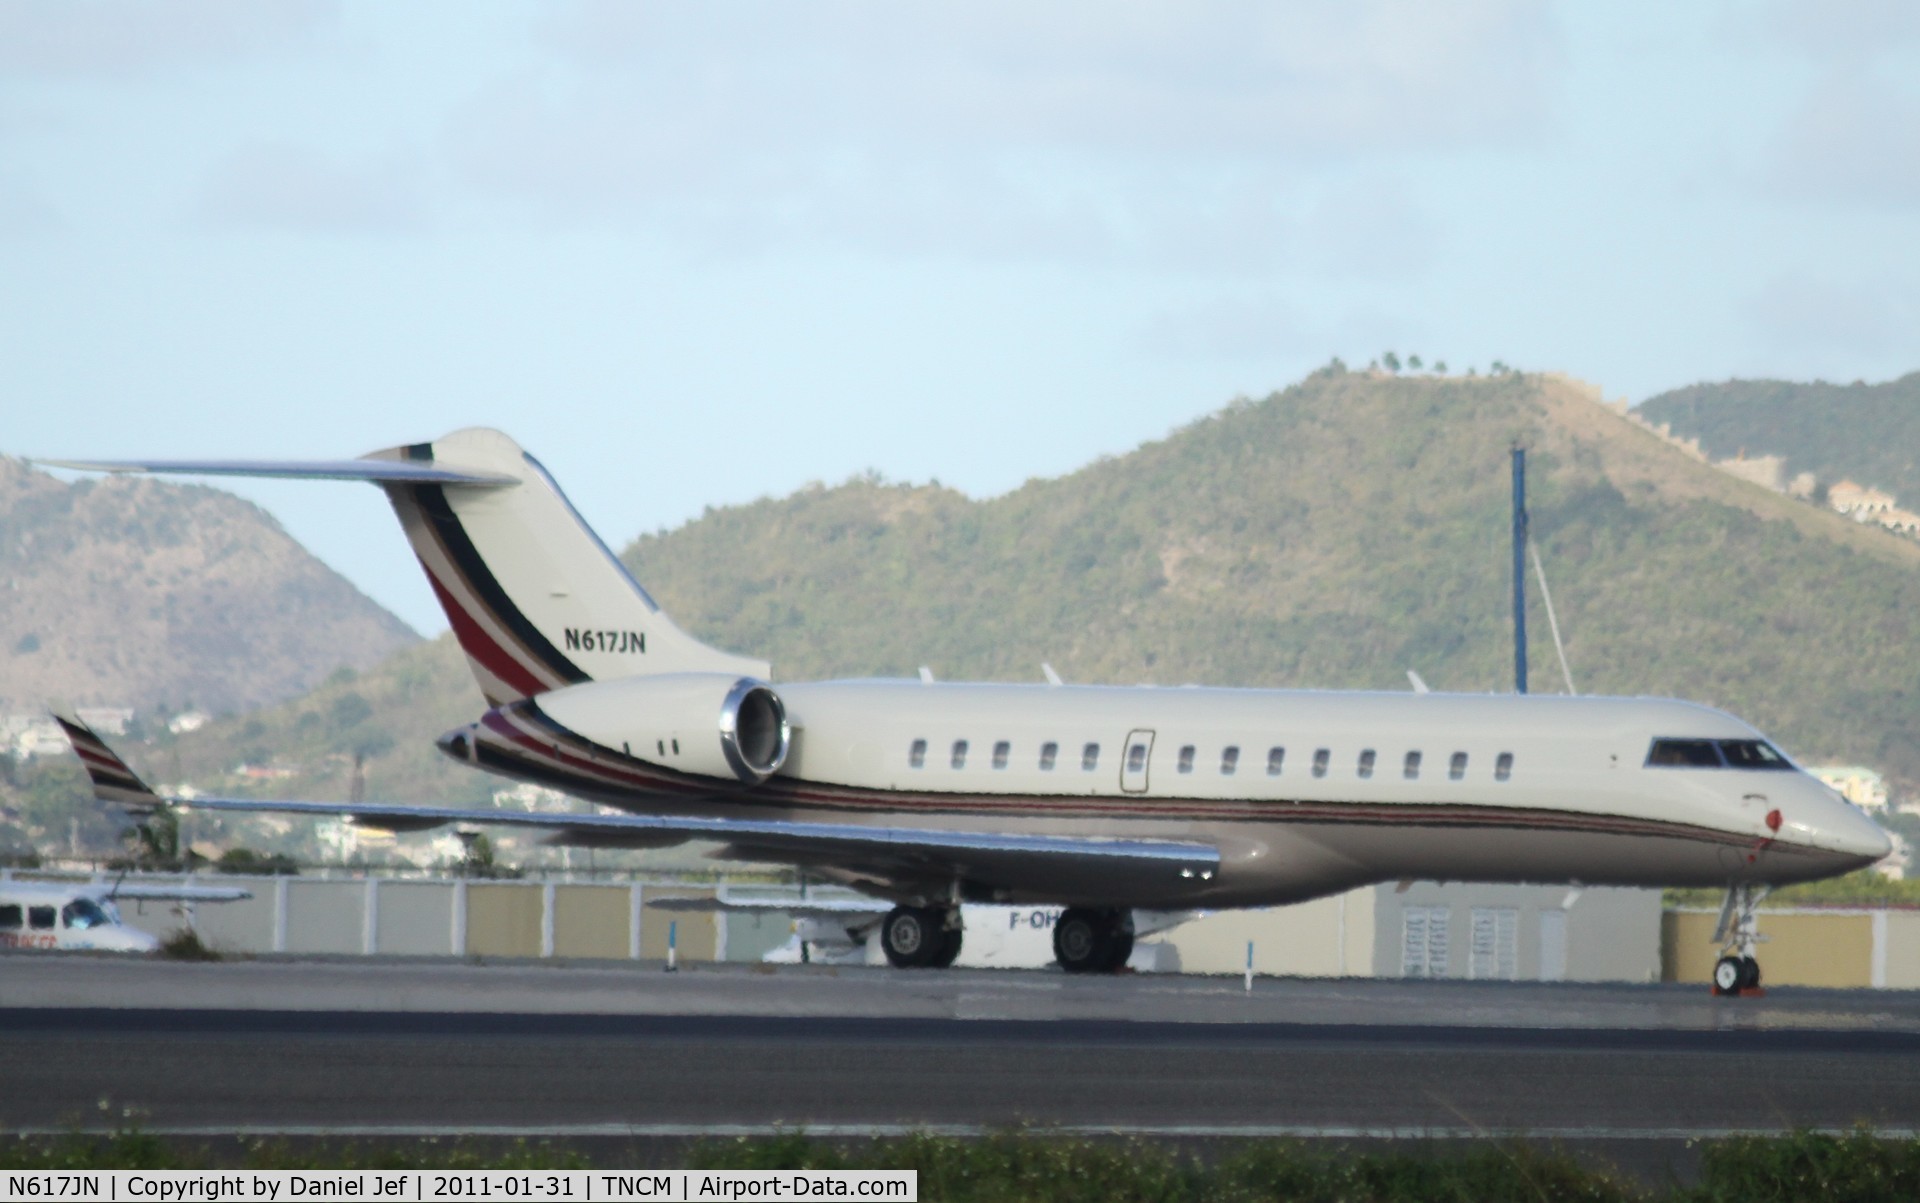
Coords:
1095,799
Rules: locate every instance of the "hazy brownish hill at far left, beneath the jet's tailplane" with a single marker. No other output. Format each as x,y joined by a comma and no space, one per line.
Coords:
143,594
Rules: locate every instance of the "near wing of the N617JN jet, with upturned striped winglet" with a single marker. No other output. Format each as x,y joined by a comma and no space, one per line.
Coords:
1053,864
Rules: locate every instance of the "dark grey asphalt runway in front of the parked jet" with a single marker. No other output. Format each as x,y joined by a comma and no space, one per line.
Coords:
272,1047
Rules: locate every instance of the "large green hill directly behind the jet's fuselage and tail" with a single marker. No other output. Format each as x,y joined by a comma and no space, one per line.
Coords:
1335,534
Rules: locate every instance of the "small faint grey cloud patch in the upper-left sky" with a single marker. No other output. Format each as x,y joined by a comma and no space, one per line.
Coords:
297,189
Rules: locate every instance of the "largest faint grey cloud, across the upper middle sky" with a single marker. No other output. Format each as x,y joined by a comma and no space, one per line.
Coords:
1163,133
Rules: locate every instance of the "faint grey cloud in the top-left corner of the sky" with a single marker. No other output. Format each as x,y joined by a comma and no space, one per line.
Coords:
137,37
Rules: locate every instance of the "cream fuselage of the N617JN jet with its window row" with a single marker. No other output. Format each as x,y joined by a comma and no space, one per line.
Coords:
1305,793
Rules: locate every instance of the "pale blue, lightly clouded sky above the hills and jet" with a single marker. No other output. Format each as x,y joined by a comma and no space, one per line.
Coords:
696,254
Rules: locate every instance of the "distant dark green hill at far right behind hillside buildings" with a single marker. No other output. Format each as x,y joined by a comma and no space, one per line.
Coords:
1867,433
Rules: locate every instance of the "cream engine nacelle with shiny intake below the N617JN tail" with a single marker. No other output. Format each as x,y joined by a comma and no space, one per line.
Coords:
709,724
